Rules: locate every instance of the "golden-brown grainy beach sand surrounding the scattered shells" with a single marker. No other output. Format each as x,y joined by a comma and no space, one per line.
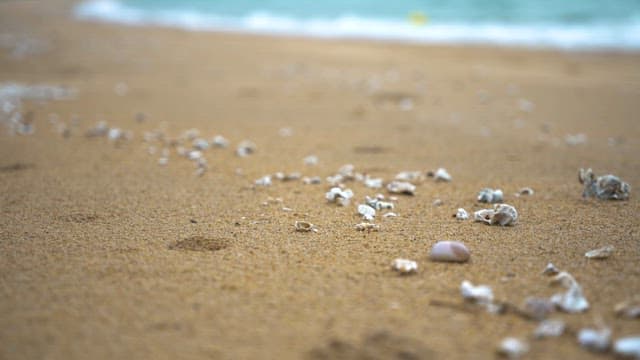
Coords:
100,258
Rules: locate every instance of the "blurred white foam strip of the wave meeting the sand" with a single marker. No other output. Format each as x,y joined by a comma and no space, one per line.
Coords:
620,36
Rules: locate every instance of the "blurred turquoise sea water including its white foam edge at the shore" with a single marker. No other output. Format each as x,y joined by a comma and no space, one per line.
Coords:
564,24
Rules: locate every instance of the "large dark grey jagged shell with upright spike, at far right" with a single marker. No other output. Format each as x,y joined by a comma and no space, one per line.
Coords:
607,187
